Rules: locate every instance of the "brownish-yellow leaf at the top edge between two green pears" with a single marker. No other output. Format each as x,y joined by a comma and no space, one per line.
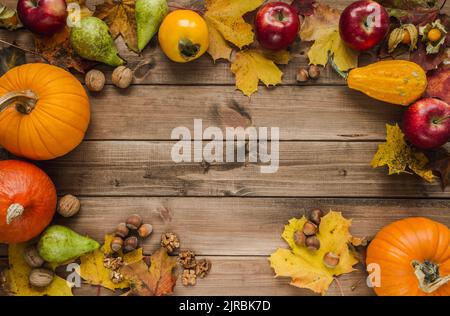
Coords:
120,17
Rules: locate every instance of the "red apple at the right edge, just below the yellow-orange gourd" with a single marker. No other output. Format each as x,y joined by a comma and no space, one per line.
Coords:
426,123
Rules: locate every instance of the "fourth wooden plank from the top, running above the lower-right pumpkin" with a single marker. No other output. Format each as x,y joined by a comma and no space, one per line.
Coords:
237,226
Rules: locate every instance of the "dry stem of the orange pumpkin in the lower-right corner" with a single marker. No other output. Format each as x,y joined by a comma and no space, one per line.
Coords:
428,275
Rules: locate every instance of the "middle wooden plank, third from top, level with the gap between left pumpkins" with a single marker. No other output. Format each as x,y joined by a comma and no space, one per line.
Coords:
319,169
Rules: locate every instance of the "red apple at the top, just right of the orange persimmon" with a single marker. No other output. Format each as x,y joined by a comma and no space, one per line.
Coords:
276,25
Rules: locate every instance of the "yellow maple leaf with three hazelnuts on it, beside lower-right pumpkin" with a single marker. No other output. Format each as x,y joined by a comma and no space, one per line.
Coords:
305,267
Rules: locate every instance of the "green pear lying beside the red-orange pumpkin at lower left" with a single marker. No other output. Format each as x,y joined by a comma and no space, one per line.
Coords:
59,244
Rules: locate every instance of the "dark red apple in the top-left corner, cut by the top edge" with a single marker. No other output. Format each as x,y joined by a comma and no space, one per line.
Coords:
43,17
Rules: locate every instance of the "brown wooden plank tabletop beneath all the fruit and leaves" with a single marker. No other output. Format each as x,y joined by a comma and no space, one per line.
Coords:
230,212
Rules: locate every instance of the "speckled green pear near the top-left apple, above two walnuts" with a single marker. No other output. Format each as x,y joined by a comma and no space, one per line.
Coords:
92,40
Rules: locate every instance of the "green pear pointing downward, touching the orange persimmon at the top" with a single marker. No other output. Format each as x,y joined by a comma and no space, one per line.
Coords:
149,15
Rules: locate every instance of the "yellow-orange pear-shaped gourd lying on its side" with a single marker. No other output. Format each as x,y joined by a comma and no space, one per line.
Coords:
393,81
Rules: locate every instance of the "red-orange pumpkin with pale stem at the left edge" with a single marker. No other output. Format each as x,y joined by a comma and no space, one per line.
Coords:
27,201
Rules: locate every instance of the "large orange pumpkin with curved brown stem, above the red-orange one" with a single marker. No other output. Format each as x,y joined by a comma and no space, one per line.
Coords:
44,111
